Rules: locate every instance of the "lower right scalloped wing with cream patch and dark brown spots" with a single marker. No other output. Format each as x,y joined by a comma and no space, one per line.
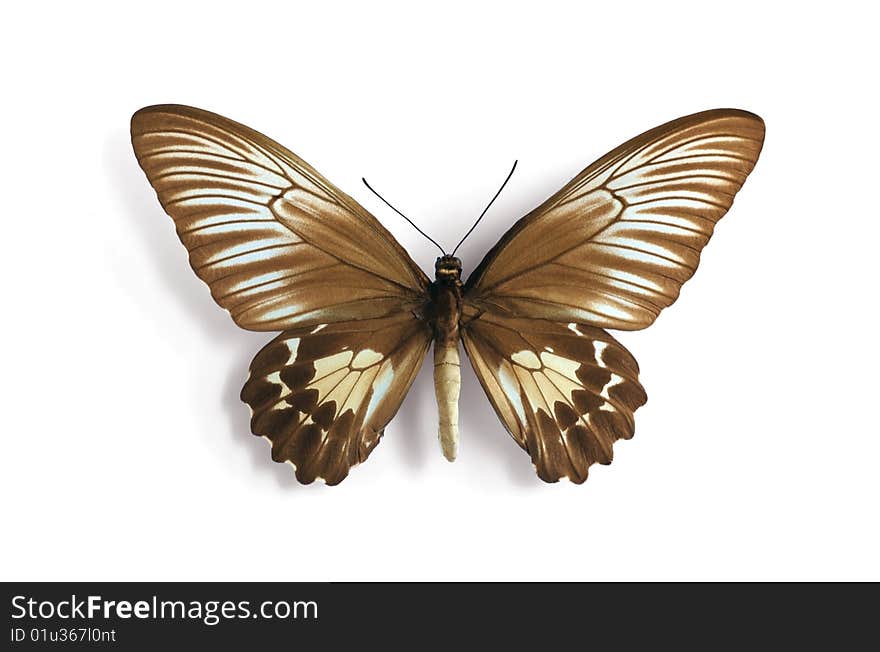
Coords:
565,392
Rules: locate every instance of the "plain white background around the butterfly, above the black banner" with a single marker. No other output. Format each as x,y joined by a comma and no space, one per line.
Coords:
126,452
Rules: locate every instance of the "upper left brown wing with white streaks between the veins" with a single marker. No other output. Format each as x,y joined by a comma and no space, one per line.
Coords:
279,246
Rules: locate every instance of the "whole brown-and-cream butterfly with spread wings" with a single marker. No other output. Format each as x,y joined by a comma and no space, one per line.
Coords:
284,250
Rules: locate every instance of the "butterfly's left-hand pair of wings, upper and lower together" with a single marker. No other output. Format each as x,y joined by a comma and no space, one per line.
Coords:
283,249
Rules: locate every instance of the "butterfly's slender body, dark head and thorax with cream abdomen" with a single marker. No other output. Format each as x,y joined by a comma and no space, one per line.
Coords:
446,303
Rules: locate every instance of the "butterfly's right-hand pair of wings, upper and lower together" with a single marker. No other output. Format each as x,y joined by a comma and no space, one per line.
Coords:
611,249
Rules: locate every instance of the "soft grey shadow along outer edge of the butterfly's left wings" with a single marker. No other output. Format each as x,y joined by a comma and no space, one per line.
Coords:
144,217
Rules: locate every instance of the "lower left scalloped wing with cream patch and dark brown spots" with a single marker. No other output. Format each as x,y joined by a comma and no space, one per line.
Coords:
323,396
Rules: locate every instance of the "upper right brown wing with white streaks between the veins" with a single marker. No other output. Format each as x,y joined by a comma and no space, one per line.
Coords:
615,245
